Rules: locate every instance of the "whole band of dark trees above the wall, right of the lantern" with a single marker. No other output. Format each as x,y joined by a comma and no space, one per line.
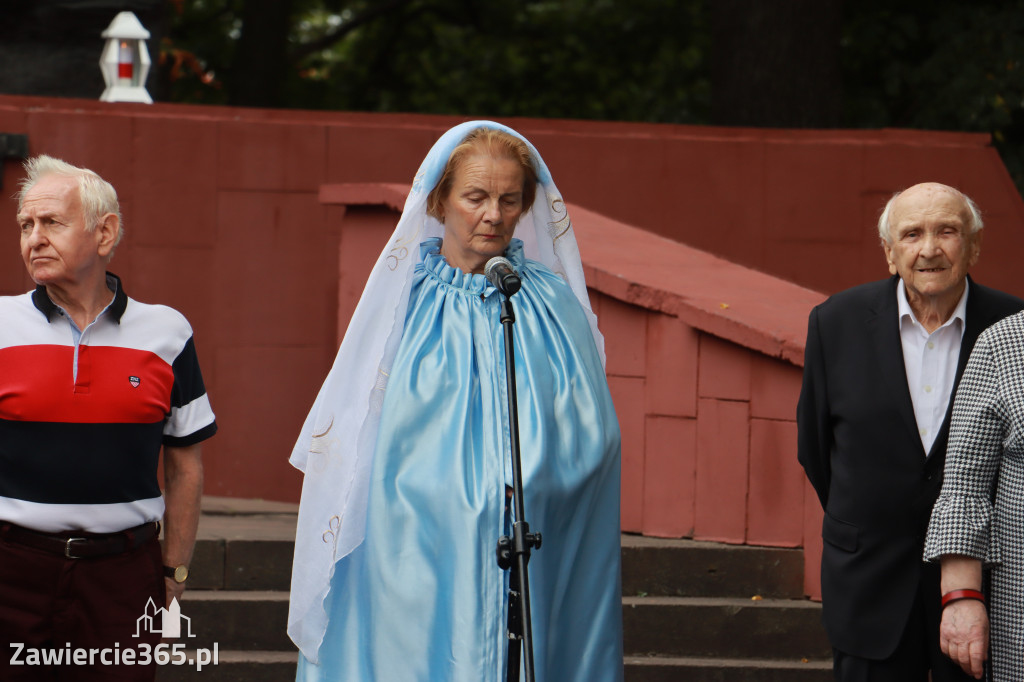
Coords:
943,65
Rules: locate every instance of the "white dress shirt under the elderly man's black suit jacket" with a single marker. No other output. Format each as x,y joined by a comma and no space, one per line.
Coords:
931,363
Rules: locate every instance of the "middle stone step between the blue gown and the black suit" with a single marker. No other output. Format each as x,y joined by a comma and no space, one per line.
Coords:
772,629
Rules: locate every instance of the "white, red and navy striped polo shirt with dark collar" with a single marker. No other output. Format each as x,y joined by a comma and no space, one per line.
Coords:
83,416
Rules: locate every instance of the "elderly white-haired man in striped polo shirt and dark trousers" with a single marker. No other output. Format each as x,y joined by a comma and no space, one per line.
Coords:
94,386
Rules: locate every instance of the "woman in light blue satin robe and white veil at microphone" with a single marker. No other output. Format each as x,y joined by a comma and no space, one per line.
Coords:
416,592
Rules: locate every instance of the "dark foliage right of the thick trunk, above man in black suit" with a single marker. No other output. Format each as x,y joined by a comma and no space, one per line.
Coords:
947,65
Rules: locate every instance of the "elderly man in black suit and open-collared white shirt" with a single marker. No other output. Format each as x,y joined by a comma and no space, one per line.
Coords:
881,365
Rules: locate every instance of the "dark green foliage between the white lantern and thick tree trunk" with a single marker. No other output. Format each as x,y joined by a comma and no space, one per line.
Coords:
636,61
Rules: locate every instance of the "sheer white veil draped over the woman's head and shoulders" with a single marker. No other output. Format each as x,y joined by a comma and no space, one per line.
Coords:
335,448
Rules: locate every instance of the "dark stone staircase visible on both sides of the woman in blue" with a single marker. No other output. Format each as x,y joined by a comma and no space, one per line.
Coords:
693,612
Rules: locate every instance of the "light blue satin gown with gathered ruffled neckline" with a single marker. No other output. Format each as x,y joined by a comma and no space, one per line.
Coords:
422,599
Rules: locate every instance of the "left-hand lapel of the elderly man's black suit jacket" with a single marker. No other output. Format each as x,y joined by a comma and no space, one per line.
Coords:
883,325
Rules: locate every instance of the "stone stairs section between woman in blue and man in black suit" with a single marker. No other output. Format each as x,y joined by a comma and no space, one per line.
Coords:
707,613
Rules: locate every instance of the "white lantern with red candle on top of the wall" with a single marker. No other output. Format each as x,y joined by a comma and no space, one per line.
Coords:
125,62
